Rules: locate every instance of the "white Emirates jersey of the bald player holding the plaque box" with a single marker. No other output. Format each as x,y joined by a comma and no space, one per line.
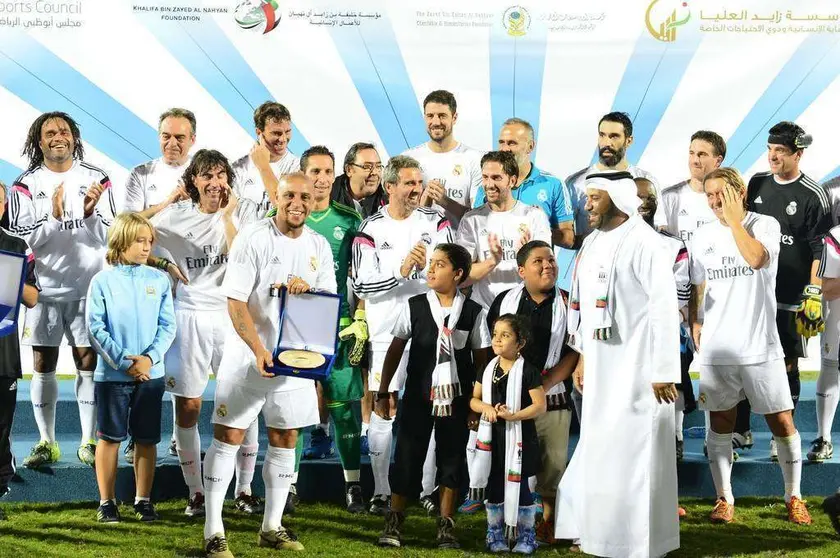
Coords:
262,256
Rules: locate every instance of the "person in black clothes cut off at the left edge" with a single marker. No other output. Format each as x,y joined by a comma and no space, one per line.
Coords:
10,368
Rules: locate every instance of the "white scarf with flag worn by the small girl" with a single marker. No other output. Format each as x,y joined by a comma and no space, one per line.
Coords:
513,443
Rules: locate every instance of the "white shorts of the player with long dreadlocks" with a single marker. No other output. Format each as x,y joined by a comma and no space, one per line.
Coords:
48,323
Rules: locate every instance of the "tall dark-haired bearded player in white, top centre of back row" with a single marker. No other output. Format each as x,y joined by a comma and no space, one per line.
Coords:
450,168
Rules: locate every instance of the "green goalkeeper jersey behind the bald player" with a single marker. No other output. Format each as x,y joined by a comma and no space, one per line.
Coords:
338,224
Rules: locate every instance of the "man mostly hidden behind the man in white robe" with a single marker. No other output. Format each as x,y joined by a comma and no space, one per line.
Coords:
685,401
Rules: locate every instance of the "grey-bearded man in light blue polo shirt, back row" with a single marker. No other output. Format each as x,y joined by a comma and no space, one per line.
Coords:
535,186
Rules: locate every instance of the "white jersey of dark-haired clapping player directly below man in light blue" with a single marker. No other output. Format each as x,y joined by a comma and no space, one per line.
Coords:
473,234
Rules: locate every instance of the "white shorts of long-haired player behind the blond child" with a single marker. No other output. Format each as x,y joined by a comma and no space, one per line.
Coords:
196,351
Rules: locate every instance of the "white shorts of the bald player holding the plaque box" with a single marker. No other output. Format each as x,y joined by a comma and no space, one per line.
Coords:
238,405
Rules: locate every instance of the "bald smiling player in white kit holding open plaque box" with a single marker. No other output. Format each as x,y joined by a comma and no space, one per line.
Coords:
266,255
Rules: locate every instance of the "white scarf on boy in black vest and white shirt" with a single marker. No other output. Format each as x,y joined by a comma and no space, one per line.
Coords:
445,383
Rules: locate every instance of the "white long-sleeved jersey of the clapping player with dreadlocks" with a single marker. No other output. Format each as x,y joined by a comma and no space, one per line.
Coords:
71,251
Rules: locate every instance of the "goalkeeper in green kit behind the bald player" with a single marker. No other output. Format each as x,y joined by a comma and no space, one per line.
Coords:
338,224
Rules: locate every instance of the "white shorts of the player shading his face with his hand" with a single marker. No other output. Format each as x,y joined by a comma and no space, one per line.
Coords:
764,384
